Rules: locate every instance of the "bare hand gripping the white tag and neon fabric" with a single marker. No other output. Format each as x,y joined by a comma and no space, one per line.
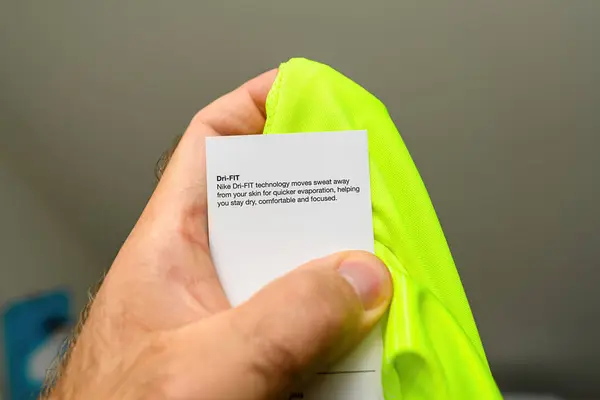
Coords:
161,326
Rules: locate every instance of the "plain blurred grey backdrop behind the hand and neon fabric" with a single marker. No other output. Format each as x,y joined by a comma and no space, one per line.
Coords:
497,102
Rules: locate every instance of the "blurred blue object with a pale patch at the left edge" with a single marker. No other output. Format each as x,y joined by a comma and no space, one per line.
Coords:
35,329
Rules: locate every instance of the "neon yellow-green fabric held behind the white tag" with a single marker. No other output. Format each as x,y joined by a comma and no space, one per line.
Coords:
432,348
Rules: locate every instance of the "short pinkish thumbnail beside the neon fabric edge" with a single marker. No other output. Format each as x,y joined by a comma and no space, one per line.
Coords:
368,278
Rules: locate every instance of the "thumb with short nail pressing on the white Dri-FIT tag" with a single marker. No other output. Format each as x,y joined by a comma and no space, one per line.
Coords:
309,318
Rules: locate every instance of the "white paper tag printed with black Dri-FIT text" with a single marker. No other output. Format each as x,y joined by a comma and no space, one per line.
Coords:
278,201
